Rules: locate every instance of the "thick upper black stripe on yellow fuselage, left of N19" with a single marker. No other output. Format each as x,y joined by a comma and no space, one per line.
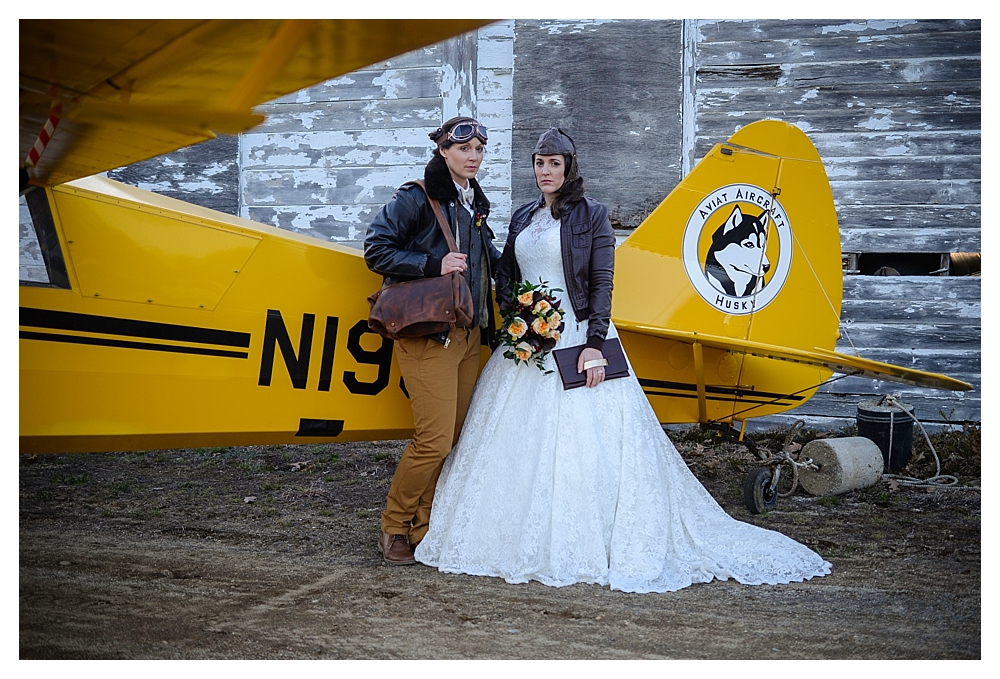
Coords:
109,325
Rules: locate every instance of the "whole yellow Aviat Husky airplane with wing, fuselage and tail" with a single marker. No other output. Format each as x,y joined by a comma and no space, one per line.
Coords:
167,325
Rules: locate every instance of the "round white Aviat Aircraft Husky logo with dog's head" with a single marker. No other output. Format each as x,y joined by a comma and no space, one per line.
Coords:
738,248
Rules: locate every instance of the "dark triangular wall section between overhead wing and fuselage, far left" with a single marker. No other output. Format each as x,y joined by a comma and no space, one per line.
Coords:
205,174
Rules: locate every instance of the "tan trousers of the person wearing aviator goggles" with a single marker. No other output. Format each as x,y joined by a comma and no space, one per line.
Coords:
439,381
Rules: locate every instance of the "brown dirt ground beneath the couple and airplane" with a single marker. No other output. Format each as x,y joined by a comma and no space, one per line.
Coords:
269,552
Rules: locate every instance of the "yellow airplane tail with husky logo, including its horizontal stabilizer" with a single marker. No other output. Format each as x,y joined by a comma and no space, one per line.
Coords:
728,295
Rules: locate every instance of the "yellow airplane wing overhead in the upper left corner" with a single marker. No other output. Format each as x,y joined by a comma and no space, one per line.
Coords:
100,94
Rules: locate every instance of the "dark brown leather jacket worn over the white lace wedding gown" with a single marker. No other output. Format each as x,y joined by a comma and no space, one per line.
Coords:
588,252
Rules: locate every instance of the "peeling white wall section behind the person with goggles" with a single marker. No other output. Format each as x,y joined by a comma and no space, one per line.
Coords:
330,156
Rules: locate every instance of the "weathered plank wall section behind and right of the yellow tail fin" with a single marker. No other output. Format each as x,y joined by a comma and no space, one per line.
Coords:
894,109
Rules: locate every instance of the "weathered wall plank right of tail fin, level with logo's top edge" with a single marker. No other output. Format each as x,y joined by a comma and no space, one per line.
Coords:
914,192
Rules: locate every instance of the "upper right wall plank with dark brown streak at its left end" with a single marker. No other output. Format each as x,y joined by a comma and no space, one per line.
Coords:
842,73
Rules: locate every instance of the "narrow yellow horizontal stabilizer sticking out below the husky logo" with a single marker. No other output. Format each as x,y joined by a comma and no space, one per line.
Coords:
831,360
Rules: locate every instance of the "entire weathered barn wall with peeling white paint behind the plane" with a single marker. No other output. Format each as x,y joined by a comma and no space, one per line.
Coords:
894,108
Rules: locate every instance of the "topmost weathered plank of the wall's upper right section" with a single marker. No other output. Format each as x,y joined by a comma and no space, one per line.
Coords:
742,31
